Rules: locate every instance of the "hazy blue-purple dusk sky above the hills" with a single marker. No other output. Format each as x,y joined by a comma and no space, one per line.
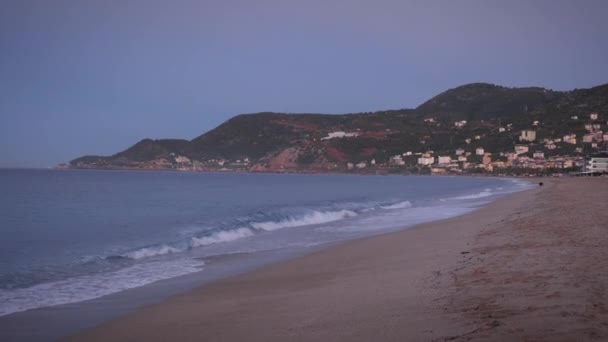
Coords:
93,77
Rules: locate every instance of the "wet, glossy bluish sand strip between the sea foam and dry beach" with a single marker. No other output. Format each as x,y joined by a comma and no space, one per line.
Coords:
70,318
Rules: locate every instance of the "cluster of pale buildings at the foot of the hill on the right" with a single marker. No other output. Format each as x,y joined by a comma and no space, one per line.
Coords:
531,155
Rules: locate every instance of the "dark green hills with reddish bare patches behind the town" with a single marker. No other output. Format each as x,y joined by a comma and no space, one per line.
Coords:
494,115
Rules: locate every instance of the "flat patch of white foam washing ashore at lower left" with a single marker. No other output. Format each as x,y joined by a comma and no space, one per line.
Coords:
93,286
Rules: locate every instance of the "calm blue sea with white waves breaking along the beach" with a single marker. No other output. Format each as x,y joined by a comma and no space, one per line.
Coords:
69,236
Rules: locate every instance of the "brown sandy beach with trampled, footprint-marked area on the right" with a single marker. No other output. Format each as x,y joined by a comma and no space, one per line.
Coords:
528,267
